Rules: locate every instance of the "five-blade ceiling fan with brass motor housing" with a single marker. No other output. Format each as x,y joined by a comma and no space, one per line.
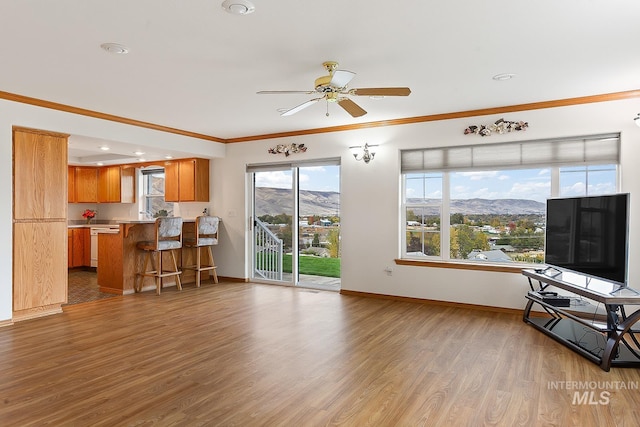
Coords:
333,88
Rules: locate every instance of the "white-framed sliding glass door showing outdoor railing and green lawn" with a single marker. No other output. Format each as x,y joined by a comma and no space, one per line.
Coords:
296,224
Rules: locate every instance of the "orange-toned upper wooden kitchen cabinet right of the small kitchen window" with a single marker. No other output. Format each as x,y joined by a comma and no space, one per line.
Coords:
186,180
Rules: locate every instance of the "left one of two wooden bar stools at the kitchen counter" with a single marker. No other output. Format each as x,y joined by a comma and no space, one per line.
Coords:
168,237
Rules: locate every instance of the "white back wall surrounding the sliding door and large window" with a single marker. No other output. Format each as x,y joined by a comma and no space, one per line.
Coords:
370,199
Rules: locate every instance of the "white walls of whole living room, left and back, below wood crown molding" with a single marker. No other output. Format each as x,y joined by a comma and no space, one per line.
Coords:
368,192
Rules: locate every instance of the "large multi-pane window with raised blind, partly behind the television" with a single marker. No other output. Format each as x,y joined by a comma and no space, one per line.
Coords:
486,203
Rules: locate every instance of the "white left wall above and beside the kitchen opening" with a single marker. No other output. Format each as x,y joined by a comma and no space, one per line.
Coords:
16,114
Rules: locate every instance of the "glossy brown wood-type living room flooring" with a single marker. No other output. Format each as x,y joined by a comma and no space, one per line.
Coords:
237,354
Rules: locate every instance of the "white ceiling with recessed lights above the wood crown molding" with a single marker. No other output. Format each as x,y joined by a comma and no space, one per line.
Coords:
194,67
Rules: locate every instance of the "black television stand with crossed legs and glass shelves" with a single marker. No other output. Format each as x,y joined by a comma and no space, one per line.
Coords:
590,316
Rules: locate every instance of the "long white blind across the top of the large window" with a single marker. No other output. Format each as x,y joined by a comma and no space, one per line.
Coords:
541,153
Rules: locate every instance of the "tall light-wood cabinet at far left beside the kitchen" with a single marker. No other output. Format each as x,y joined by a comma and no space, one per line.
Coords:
39,222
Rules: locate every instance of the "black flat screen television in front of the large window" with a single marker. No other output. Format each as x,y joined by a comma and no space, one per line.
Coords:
589,235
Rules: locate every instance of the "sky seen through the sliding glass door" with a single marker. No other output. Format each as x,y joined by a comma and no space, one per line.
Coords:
314,178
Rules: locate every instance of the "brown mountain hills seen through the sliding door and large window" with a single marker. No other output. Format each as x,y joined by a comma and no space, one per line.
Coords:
273,201
